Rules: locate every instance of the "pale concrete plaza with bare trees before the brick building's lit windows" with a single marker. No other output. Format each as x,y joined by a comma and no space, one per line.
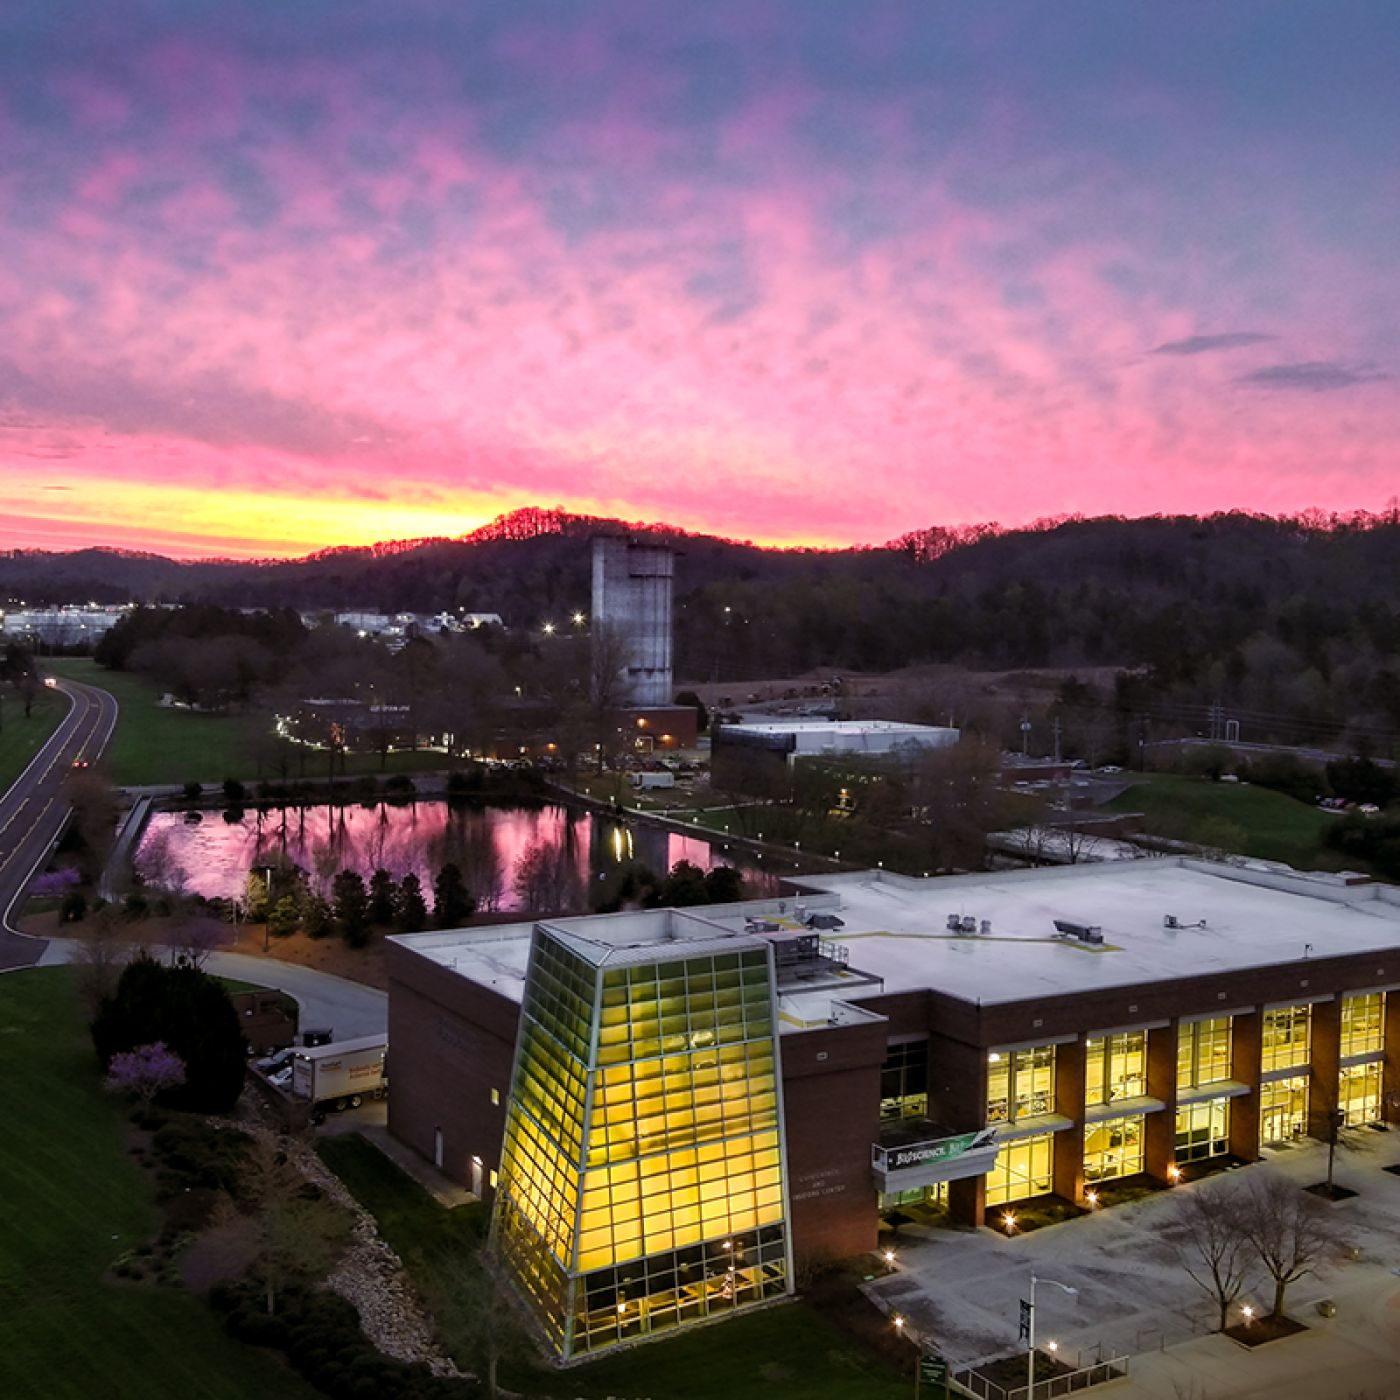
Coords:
960,1291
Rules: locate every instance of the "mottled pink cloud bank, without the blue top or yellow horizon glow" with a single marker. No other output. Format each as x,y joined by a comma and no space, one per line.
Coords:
750,337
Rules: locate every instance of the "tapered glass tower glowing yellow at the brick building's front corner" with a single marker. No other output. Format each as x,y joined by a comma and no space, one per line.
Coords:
642,1178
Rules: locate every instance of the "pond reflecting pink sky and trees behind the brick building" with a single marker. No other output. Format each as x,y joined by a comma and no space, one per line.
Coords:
586,856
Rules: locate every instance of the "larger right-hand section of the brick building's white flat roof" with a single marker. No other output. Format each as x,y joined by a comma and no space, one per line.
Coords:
1231,920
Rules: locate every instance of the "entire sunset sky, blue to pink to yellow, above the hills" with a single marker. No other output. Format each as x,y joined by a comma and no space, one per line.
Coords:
279,275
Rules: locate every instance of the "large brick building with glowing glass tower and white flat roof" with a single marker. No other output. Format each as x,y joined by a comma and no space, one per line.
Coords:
673,1107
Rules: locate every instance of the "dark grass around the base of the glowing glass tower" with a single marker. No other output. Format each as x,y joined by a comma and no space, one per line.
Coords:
785,1353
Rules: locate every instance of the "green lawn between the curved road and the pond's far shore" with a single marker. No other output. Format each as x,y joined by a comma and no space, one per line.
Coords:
157,745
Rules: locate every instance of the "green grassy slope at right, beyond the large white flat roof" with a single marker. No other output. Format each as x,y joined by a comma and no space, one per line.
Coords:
1275,827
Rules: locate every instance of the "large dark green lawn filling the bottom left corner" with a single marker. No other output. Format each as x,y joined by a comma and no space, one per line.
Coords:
72,1205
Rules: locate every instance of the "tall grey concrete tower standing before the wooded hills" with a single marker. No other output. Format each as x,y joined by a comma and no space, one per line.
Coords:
632,622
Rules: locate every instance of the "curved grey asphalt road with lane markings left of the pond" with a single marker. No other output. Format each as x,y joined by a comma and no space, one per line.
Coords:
33,814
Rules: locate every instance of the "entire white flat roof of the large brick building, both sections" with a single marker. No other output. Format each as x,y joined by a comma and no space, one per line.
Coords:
897,929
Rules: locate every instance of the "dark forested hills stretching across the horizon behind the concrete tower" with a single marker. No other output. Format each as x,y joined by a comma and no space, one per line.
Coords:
1198,600
